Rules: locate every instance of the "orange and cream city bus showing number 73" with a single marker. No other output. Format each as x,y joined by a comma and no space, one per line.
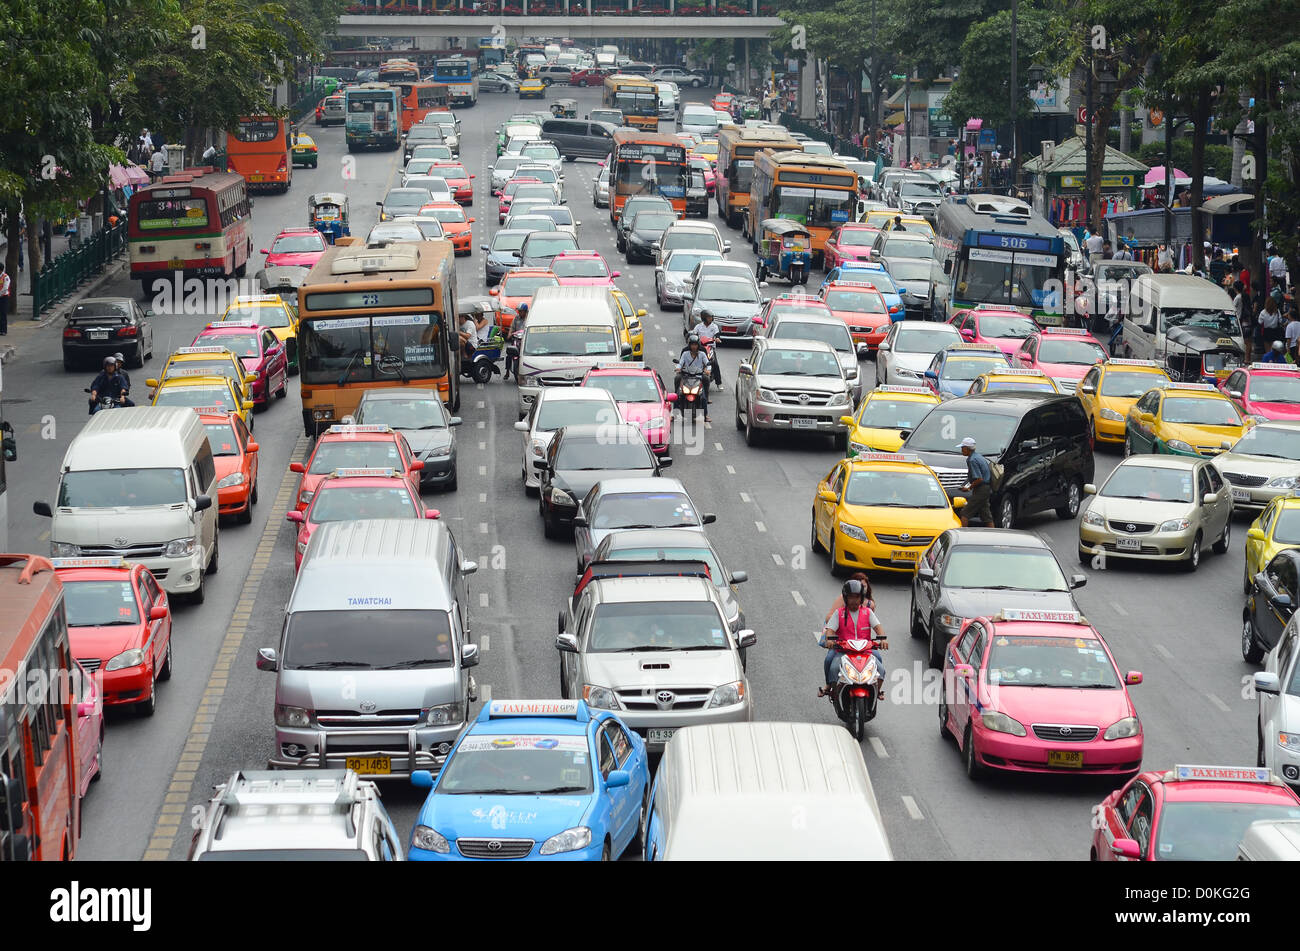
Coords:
372,319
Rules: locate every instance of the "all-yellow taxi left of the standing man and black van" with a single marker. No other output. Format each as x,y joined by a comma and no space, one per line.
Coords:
881,511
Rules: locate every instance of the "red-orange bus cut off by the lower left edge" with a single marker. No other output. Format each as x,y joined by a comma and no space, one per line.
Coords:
38,716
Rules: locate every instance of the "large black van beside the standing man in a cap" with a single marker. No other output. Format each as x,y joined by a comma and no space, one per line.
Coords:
1043,444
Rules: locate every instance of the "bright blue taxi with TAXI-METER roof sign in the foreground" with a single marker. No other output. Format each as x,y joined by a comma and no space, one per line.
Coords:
536,780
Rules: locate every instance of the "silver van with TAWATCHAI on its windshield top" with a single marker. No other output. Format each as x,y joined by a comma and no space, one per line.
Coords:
372,674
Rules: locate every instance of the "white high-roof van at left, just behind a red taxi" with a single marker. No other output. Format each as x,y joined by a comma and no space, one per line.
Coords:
140,483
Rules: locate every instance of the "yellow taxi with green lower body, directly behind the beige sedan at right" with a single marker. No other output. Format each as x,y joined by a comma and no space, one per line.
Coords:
1185,420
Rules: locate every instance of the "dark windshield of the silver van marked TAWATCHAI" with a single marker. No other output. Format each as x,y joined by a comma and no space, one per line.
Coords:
345,640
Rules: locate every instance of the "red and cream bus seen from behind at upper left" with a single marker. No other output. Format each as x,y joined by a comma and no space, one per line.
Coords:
198,223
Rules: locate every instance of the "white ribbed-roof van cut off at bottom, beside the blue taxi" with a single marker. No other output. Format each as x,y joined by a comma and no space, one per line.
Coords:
804,785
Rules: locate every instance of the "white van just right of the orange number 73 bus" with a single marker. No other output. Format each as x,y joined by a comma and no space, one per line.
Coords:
570,331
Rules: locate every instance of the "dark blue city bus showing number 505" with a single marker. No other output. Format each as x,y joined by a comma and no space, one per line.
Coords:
996,250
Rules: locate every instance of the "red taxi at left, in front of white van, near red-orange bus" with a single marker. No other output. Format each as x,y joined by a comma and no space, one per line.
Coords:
120,628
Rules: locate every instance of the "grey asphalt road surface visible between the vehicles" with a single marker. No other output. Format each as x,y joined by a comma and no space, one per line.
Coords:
1180,631
